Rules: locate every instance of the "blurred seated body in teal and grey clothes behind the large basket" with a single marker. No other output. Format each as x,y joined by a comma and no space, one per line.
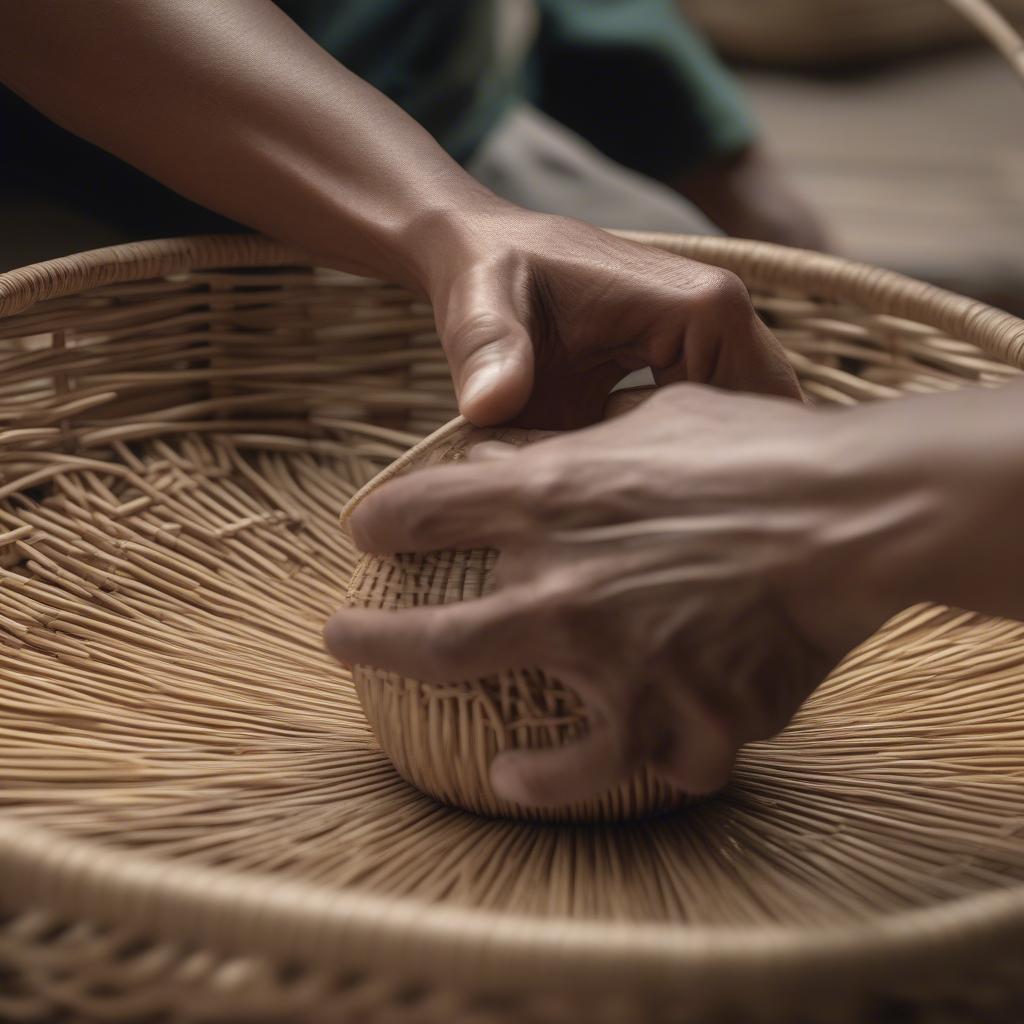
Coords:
612,111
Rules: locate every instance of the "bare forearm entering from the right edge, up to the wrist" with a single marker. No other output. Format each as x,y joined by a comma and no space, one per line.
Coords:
941,484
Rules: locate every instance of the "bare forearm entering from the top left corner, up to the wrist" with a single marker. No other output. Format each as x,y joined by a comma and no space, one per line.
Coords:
235,107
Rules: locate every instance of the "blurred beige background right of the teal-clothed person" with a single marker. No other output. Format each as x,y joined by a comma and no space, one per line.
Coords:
900,124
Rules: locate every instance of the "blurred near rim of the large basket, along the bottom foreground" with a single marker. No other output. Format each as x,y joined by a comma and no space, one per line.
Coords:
248,915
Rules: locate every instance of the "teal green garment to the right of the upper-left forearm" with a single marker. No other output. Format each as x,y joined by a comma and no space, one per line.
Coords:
629,76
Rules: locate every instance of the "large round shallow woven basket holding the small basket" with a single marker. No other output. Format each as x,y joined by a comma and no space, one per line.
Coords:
196,823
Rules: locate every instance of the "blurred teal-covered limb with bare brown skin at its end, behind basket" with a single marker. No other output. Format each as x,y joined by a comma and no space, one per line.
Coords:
638,82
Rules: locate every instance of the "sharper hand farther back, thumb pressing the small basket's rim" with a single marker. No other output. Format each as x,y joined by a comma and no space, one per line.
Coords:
542,316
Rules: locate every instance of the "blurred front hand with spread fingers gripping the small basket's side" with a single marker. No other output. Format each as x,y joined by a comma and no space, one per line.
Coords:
693,569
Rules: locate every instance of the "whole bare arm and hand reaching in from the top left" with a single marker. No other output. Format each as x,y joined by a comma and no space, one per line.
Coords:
234,107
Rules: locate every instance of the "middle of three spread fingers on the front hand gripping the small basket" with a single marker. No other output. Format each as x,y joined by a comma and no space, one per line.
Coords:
443,644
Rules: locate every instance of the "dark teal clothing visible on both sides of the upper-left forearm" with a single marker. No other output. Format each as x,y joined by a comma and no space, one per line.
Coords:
628,75
